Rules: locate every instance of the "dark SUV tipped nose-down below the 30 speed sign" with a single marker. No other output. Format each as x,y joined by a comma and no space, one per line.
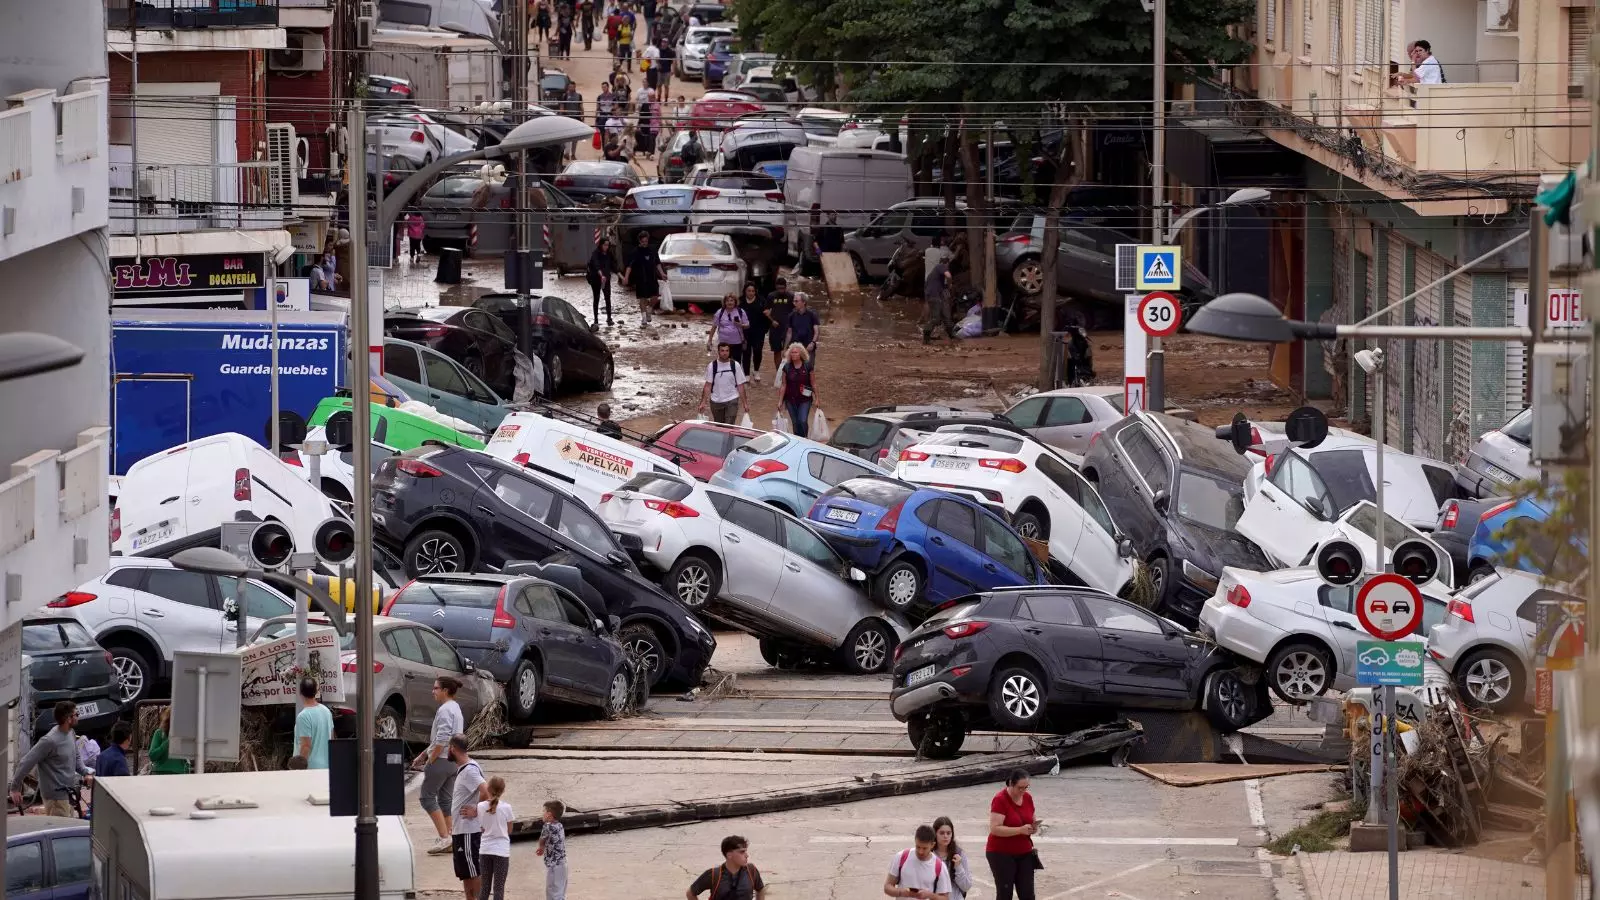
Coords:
1178,492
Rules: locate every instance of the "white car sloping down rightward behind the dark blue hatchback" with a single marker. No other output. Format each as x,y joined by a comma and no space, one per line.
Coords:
1034,489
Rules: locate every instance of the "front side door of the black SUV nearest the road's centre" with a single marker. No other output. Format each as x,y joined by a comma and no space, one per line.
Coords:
1145,664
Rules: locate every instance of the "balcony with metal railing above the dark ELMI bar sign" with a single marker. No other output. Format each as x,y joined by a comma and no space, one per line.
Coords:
169,199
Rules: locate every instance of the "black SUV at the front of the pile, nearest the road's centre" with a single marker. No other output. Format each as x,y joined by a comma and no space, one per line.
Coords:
1031,659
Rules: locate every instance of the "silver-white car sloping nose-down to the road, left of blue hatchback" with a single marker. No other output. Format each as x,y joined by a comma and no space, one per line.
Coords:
756,568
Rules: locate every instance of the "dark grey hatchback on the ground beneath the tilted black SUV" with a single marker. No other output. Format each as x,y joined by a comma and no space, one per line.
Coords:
534,637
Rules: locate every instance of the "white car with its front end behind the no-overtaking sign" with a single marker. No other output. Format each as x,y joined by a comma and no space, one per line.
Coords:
1297,625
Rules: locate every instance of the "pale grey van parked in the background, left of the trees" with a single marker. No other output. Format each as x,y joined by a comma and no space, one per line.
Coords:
847,180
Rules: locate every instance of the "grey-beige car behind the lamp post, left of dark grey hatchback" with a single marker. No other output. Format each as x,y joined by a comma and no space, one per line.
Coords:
407,659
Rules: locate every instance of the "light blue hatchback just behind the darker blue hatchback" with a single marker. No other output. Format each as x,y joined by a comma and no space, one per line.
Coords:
788,472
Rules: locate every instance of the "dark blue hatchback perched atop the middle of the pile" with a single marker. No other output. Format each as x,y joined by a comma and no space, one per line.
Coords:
922,547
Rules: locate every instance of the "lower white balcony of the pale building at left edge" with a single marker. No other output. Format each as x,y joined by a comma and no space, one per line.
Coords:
54,524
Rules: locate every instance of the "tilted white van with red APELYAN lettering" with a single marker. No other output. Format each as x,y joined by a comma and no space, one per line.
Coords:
588,462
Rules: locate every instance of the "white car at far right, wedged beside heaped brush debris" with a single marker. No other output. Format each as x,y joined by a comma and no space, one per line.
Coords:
1489,640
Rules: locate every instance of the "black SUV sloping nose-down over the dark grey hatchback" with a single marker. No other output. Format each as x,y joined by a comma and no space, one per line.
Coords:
450,510
